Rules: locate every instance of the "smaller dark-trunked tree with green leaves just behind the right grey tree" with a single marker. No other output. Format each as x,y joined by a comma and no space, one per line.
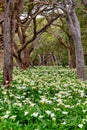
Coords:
64,37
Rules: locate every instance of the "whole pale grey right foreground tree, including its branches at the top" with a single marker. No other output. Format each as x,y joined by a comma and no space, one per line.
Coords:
68,9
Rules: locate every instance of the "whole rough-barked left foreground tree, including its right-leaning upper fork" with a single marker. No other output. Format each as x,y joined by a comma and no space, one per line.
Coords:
10,13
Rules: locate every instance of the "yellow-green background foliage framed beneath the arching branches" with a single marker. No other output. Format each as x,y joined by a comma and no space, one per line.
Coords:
48,44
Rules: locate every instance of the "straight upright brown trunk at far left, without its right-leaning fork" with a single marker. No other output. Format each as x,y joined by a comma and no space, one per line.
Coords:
8,59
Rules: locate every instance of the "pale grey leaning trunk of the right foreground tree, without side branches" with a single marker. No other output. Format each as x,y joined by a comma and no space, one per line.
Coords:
74,27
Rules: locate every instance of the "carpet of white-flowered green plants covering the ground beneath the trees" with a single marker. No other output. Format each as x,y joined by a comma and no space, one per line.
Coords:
44,98
